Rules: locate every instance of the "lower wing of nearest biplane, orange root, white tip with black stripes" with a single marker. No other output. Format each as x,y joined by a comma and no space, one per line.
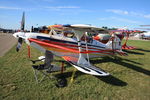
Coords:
85,67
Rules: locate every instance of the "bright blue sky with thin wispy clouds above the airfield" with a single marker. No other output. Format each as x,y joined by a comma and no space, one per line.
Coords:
110,13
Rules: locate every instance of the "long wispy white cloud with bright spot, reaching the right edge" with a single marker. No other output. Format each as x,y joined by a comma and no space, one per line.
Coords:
130,13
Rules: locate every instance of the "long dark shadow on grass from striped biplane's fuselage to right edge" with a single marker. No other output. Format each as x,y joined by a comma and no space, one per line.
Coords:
120,61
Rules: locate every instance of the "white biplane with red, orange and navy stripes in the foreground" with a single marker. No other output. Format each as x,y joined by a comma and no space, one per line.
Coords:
74,43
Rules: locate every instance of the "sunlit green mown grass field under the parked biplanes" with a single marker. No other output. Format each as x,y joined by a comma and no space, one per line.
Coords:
129,79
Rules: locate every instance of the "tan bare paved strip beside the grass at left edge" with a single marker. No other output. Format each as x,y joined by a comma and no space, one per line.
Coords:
7,41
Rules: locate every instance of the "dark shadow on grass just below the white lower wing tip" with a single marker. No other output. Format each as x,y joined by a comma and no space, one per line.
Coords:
112,80
